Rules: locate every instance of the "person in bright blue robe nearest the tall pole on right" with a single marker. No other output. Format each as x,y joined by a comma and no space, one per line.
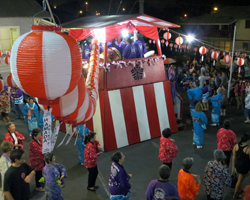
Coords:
216,102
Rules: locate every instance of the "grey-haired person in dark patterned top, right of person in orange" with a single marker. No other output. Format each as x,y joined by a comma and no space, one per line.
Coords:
216,176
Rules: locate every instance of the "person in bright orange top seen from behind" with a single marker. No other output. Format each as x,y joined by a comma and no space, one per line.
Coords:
188,184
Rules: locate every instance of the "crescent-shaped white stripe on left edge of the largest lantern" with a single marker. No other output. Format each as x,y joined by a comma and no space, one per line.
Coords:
13,59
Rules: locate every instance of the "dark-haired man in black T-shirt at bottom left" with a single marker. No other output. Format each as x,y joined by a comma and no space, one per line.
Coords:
18,177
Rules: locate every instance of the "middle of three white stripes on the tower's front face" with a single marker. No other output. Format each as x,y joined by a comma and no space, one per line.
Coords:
141,113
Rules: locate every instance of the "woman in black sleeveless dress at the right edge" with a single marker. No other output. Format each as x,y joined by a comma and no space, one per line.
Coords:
241,162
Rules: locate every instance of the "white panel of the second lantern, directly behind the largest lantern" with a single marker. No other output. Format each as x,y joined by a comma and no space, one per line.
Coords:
68,103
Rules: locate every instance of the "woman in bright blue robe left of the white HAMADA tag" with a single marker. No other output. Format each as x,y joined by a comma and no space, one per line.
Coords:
30,113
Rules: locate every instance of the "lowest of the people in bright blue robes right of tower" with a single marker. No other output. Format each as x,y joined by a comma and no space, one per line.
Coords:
199,123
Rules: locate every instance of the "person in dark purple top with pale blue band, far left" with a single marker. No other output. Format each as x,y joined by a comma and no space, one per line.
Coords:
17,95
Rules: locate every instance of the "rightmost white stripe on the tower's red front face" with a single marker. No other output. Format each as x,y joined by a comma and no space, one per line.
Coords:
161,105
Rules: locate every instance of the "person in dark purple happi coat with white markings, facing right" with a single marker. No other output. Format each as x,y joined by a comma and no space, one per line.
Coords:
119,185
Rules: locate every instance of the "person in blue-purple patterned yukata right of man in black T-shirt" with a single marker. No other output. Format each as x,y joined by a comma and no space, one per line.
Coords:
53,174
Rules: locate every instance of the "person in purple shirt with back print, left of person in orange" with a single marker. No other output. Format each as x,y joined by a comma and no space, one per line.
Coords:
160,189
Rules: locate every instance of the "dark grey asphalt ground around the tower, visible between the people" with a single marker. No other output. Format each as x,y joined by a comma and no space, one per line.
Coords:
141,160
